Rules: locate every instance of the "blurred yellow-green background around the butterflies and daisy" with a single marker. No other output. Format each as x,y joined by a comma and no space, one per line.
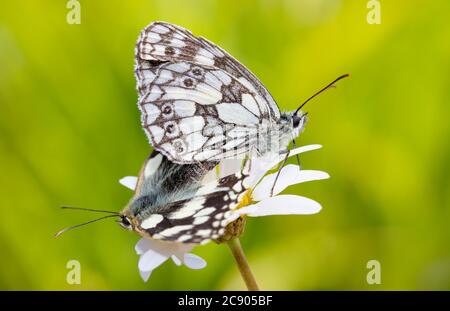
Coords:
69,129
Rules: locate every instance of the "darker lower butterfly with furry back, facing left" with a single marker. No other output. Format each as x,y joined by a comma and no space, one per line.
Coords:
179,203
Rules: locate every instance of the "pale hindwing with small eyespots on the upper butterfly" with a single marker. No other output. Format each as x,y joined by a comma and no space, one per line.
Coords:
193,113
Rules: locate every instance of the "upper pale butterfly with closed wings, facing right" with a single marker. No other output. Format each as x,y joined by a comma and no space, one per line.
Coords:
198,103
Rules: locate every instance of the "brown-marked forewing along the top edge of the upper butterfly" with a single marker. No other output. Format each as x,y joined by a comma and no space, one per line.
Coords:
162,42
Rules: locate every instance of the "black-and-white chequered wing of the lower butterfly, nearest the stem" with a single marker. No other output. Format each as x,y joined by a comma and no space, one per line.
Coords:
201,218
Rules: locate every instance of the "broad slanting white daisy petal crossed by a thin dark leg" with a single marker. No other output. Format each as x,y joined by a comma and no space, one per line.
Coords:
287,175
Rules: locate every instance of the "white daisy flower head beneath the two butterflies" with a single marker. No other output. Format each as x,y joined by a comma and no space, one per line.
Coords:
257,202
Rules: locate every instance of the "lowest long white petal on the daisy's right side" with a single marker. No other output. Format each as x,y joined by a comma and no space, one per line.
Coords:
285,205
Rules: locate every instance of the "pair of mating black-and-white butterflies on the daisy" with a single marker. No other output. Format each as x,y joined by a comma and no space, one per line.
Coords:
199,106
